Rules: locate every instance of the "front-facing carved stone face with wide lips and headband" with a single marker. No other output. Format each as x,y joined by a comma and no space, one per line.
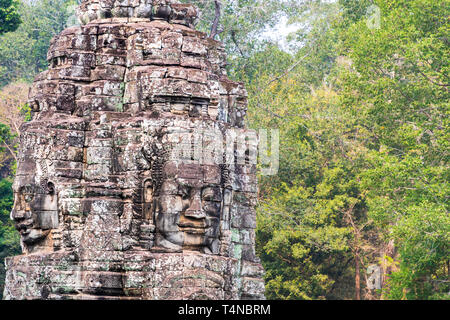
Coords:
188,208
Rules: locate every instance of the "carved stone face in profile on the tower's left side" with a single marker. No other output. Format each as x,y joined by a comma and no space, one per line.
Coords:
35,210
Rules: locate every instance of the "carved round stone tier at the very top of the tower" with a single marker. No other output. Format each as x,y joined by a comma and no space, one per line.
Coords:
168,10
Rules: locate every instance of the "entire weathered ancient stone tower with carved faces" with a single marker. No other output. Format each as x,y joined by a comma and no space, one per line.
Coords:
126,186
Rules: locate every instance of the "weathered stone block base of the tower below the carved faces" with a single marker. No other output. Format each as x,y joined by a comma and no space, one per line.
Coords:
152,276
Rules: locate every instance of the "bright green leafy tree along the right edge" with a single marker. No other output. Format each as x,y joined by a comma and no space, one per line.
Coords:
399,85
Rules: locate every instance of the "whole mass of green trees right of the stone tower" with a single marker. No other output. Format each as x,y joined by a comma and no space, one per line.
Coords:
363,115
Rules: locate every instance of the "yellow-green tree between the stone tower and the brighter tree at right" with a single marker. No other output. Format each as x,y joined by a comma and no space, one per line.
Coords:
305,221
